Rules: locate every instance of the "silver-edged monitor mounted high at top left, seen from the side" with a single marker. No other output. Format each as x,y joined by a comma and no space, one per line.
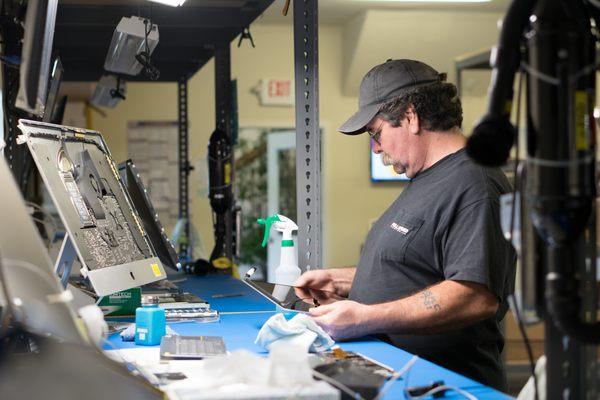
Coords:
34,71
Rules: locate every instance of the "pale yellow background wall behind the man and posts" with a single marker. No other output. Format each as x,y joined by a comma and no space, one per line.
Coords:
350,201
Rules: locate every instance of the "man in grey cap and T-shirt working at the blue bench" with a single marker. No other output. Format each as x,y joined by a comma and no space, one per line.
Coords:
435,270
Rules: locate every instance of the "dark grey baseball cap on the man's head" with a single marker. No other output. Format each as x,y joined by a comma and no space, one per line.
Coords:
385,82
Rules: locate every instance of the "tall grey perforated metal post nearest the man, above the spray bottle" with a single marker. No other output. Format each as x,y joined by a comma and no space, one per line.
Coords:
308,136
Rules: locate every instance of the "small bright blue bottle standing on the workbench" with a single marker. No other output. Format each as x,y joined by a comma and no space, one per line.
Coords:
150,322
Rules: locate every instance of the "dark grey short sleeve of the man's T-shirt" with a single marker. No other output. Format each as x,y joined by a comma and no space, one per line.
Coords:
475,249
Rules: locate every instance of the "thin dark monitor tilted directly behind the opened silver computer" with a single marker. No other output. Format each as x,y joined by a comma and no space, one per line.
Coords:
141,202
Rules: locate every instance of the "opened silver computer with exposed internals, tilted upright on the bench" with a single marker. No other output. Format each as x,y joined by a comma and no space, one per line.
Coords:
82,179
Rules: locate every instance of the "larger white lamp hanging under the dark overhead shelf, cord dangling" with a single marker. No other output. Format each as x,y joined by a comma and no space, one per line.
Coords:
129,40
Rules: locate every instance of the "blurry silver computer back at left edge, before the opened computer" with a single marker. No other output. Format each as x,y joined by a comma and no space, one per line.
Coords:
33,293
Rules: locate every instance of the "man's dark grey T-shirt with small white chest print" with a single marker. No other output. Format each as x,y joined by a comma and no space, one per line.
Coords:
444,225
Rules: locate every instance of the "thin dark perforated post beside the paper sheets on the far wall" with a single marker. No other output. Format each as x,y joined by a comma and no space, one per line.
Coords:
184,166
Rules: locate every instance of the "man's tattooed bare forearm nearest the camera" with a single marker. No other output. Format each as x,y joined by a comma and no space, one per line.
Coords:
446,306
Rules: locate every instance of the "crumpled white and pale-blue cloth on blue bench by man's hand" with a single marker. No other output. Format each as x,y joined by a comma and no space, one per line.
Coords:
301,331
